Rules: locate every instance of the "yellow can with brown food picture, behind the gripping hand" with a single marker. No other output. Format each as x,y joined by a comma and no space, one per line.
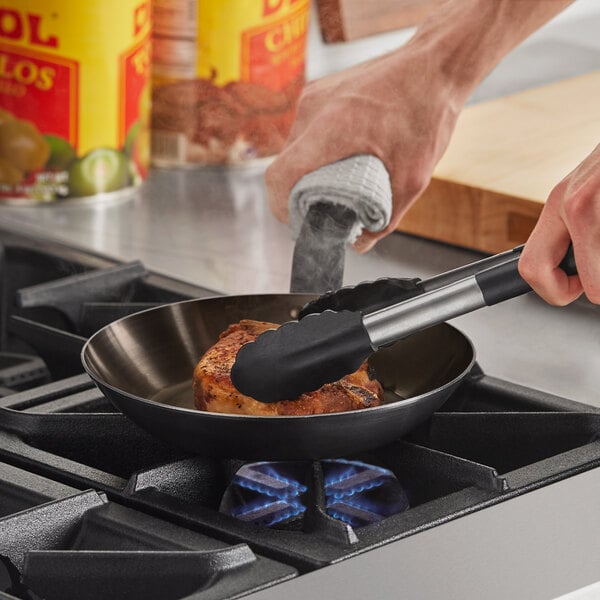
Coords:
226,78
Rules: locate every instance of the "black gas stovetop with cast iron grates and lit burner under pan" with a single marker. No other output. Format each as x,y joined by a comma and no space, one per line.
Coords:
92,506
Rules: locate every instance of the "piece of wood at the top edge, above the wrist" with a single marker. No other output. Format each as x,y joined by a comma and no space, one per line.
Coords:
345,20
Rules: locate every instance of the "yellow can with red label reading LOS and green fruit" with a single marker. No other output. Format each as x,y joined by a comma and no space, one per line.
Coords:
74,98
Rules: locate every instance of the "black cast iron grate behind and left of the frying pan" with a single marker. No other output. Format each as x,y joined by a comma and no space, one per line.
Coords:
53,298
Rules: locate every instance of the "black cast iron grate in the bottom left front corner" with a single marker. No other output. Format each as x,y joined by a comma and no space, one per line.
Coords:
59,543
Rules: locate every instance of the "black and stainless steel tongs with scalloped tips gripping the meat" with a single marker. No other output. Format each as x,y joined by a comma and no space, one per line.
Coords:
325,344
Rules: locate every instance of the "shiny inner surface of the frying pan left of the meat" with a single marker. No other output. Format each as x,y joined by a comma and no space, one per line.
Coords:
152,354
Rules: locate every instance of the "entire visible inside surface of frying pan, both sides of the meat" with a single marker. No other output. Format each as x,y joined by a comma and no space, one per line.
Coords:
152,354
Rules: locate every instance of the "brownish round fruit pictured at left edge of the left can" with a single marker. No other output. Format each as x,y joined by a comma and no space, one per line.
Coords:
23,146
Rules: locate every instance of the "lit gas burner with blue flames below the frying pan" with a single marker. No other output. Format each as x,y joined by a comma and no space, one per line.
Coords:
276,494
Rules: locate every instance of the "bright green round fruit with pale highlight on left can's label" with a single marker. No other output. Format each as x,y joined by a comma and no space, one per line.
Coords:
101,170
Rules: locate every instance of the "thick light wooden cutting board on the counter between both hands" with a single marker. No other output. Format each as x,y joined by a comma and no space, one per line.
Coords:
505,157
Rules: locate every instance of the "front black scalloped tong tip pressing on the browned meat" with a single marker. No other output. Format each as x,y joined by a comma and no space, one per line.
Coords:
335,343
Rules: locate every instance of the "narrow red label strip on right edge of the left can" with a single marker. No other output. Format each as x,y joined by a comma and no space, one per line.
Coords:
134,79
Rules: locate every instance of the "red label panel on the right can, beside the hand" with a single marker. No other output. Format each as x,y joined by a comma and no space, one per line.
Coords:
274,54
